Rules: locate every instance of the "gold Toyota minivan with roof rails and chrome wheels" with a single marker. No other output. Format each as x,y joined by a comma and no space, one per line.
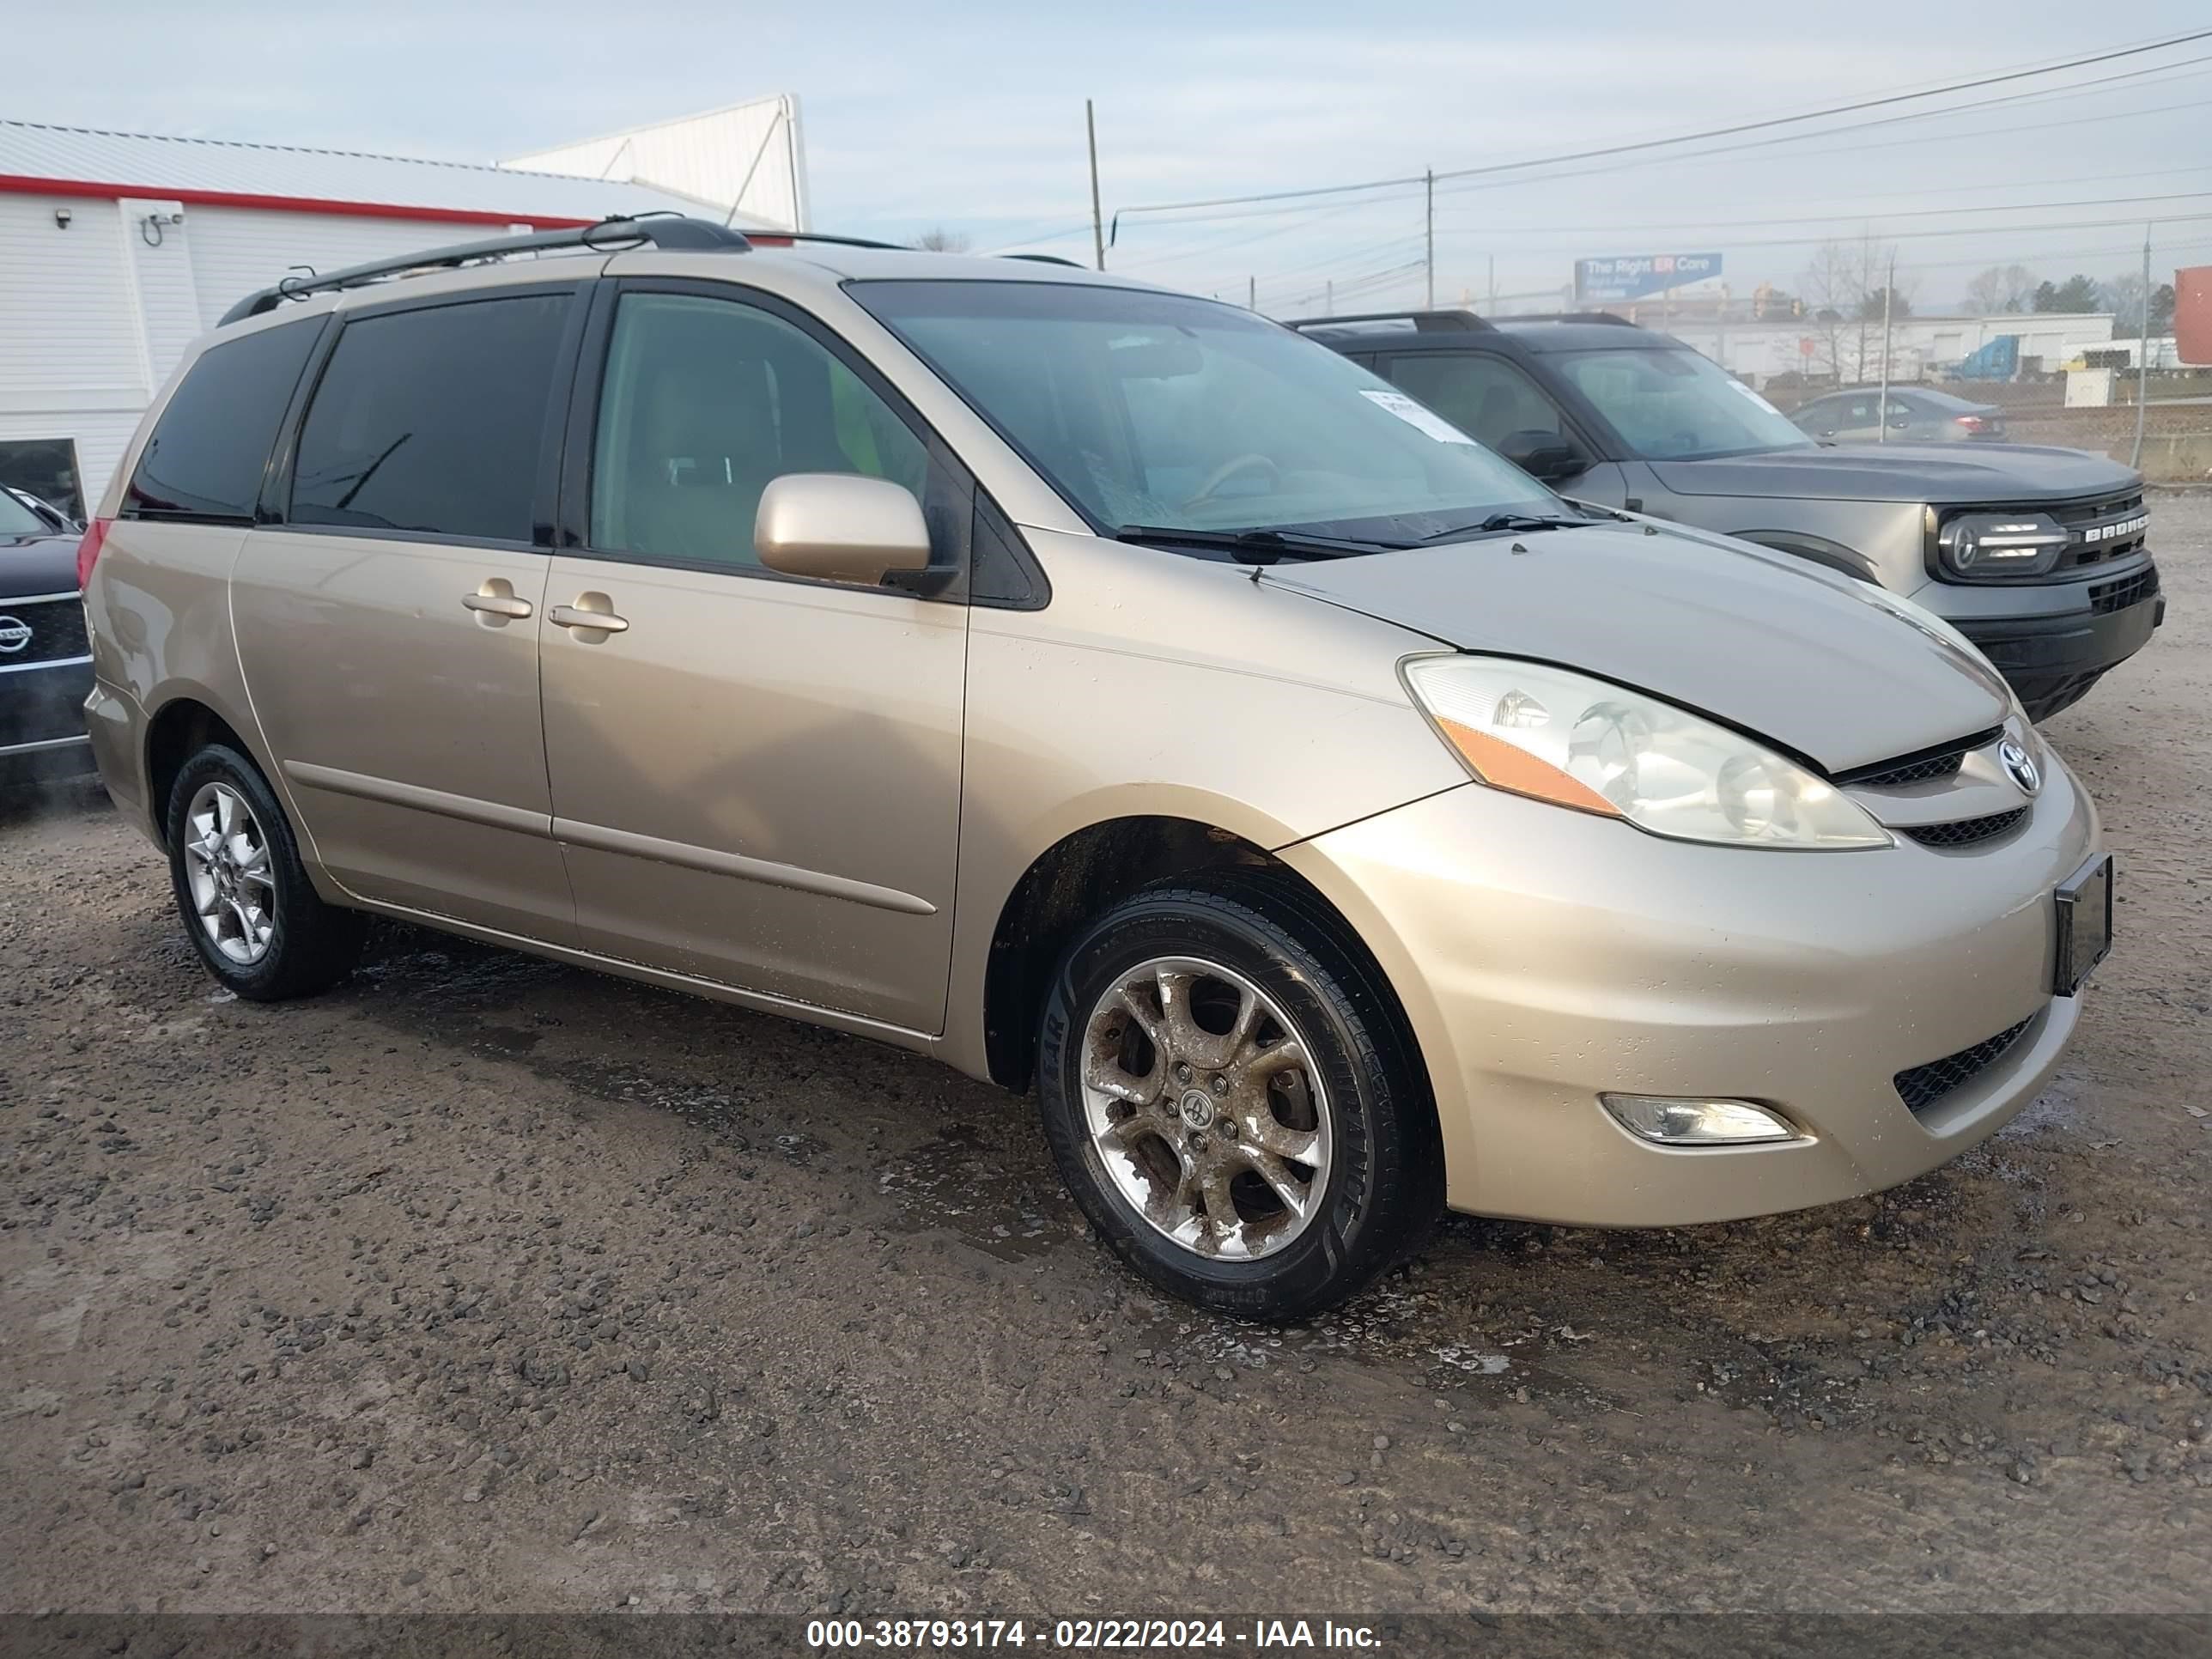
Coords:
1100,689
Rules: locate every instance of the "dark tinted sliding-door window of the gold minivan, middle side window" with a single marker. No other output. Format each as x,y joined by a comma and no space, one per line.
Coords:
432,421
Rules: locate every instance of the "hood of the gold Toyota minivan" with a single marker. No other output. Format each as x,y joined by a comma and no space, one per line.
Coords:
1757,640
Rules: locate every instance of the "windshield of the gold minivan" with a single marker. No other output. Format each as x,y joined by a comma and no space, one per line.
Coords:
1173,413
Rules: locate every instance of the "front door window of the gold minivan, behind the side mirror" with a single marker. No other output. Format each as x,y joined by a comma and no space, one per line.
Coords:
705,404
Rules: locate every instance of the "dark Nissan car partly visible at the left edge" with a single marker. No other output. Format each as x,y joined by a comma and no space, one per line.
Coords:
45,662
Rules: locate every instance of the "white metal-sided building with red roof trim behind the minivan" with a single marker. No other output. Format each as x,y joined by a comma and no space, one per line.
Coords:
118,249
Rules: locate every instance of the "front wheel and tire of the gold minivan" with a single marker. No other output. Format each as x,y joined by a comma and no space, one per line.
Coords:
1361,1154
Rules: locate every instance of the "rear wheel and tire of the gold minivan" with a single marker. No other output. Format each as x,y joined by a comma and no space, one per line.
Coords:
280,939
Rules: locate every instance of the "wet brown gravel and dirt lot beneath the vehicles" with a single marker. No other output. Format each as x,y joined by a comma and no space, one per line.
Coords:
492,1284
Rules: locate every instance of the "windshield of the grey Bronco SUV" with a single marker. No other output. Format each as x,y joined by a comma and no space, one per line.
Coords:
1678,406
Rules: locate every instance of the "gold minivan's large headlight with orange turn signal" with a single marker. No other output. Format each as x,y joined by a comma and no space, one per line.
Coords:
1585,744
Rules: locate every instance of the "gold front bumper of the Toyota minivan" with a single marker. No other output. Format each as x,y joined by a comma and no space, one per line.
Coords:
1547,957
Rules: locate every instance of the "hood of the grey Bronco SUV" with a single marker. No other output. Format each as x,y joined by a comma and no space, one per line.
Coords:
1937,474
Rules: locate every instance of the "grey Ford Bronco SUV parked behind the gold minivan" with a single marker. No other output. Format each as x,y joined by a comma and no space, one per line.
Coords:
2038,556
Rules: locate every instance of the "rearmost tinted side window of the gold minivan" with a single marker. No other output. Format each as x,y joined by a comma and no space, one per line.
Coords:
213,439
